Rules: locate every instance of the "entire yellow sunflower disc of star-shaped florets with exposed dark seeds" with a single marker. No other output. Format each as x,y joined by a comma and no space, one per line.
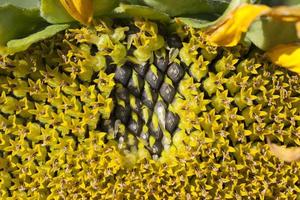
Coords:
130,110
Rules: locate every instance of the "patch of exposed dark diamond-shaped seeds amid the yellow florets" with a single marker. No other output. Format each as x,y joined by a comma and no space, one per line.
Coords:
143,91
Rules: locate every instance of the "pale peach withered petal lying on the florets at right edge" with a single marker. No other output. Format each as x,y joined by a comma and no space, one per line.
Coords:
285,154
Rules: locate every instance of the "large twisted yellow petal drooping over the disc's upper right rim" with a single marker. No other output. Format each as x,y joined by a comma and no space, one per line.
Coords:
229,31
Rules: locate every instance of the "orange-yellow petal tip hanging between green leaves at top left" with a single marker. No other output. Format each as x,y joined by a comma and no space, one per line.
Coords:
81,10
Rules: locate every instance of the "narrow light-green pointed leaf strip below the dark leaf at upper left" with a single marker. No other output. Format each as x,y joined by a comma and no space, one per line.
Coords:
18,45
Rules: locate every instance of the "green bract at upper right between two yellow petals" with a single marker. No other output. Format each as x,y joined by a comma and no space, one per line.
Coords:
266,33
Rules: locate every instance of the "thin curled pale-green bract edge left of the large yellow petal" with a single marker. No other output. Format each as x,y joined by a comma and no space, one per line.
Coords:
202,22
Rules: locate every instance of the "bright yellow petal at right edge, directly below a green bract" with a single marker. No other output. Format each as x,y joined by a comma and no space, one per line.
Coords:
286,55
